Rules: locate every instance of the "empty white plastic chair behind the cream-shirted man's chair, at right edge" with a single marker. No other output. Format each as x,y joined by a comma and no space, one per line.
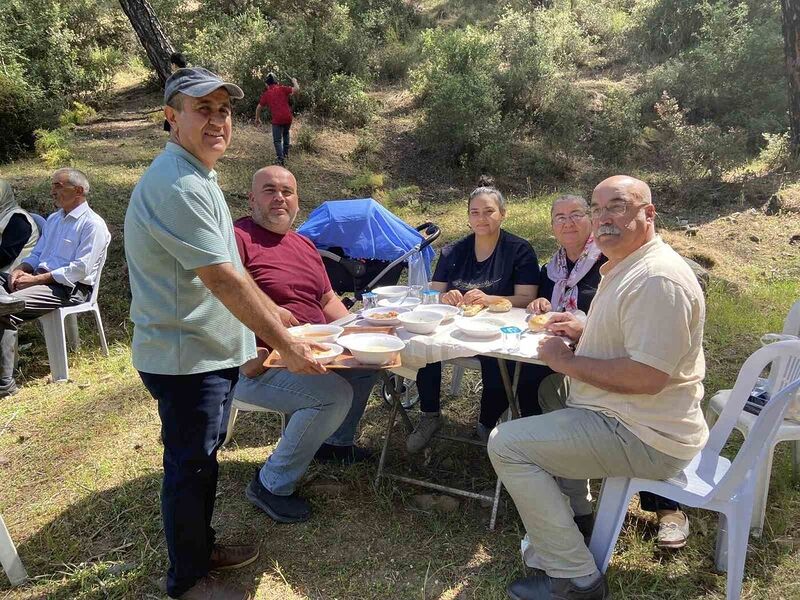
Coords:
789,431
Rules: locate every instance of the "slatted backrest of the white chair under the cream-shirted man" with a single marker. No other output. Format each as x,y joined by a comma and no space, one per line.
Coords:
768,422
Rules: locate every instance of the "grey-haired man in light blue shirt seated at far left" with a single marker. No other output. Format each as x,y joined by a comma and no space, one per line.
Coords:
60,271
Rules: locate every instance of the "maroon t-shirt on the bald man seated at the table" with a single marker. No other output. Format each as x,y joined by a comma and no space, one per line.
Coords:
287,268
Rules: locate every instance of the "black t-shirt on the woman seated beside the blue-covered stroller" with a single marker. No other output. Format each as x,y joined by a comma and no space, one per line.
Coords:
513,262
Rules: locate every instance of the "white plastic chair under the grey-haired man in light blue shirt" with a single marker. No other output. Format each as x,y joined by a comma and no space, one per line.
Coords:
55,331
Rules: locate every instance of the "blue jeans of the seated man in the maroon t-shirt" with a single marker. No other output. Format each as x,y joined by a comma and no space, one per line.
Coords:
323,408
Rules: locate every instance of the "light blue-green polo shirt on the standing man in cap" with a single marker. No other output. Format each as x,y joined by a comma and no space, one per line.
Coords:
178,221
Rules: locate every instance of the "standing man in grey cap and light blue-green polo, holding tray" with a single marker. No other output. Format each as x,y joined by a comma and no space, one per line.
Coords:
194,310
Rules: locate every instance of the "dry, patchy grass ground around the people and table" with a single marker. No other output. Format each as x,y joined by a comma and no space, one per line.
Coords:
81,461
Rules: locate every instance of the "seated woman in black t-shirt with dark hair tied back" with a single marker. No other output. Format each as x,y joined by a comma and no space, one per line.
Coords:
486,266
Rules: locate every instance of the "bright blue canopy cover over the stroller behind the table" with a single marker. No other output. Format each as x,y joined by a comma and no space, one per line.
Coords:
362,229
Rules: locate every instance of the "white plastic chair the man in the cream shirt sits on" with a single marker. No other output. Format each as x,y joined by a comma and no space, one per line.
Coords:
711,481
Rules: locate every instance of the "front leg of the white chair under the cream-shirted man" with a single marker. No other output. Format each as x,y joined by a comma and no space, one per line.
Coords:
611,510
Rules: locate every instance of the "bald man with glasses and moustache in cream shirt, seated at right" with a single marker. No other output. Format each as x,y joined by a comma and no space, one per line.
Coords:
633,409
